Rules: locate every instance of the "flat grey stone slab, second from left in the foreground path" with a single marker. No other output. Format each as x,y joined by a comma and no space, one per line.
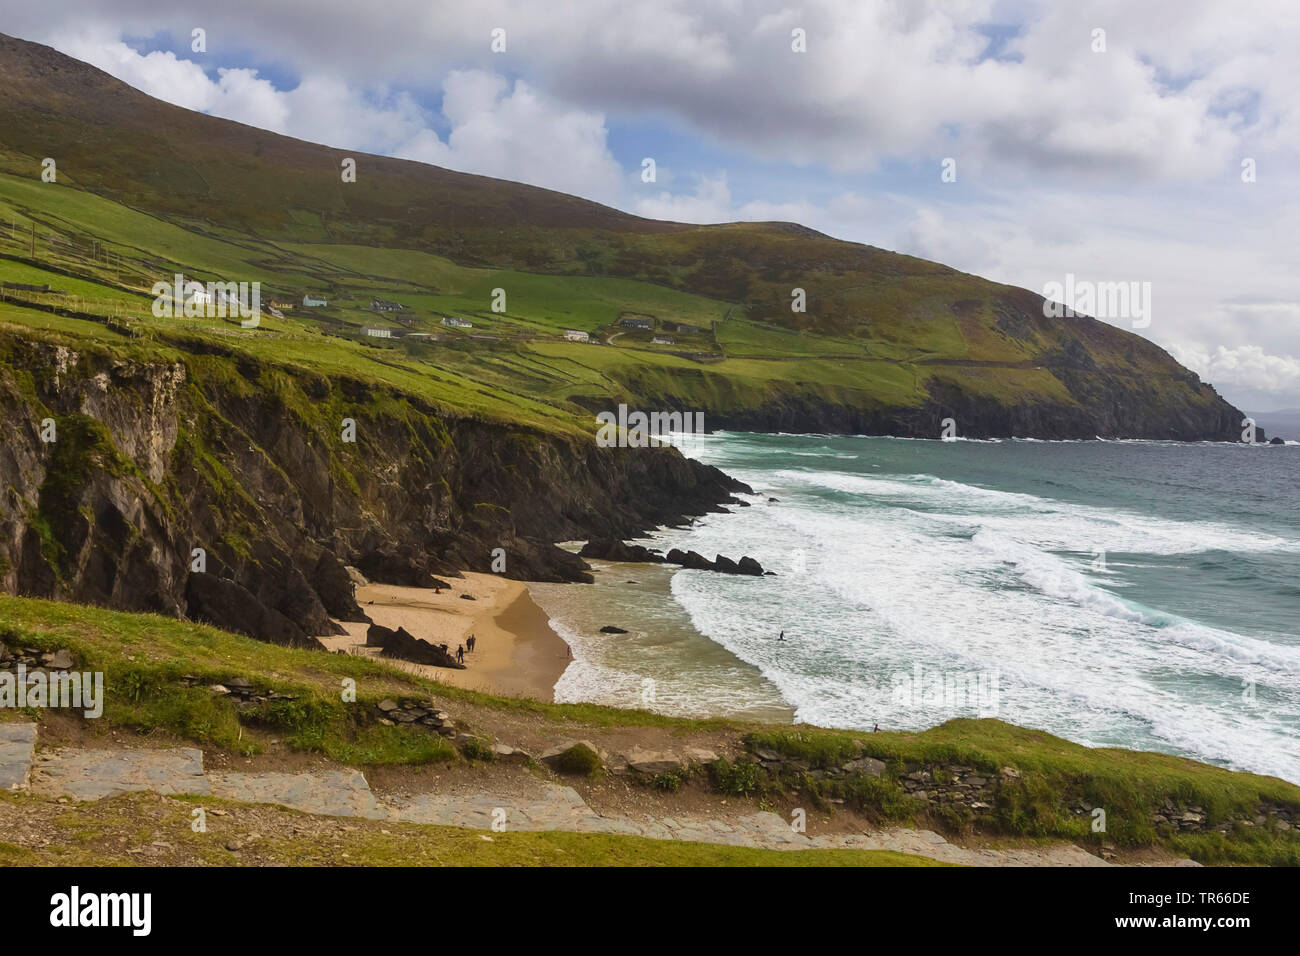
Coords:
97,775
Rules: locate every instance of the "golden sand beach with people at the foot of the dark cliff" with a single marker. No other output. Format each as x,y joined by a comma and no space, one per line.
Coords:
517,652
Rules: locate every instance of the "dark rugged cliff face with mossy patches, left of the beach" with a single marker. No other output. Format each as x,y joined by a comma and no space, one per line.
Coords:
154,458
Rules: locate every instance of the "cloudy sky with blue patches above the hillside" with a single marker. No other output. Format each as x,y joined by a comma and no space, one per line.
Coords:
1110,141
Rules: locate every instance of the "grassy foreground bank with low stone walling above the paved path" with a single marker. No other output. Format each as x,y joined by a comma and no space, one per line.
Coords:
142,657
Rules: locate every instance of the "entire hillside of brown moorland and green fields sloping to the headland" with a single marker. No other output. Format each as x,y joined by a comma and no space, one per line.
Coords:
887,344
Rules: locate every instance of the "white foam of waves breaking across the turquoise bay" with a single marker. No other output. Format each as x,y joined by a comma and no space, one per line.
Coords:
879,574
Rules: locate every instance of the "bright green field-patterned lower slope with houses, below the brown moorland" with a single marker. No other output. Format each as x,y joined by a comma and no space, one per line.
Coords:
531,361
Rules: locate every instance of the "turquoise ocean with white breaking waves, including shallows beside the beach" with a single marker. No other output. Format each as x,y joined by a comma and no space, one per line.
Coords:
1138,595
